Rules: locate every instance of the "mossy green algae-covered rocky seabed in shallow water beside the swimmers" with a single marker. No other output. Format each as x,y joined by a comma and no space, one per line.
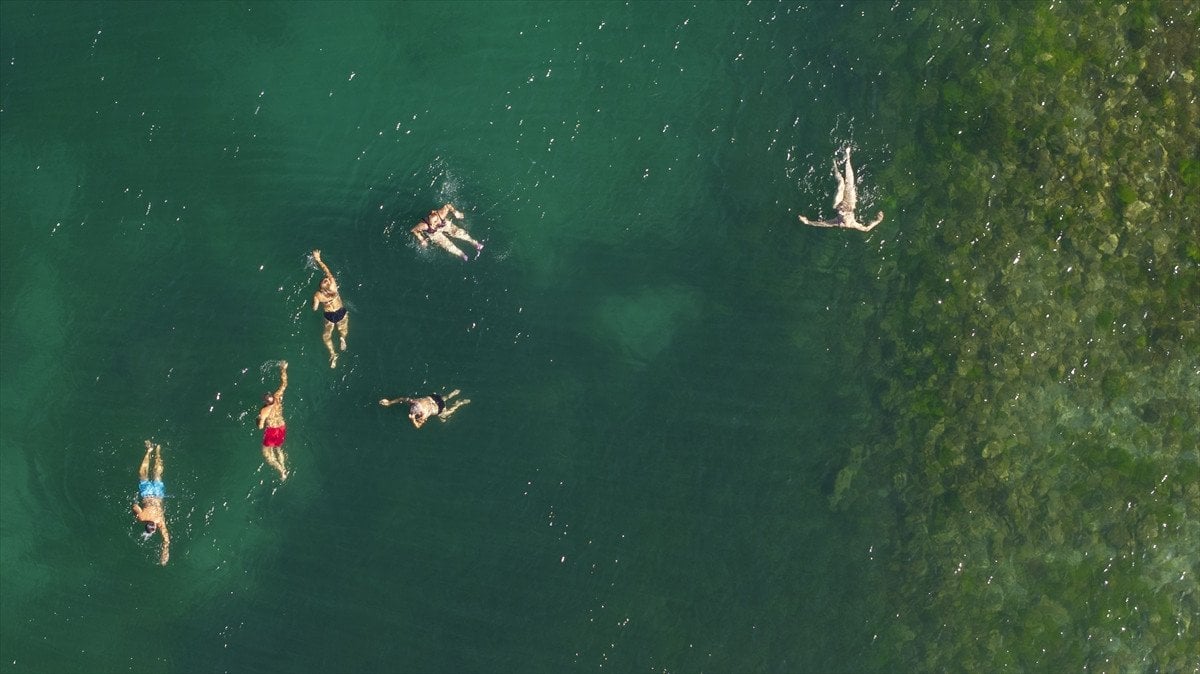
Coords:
1036,432
